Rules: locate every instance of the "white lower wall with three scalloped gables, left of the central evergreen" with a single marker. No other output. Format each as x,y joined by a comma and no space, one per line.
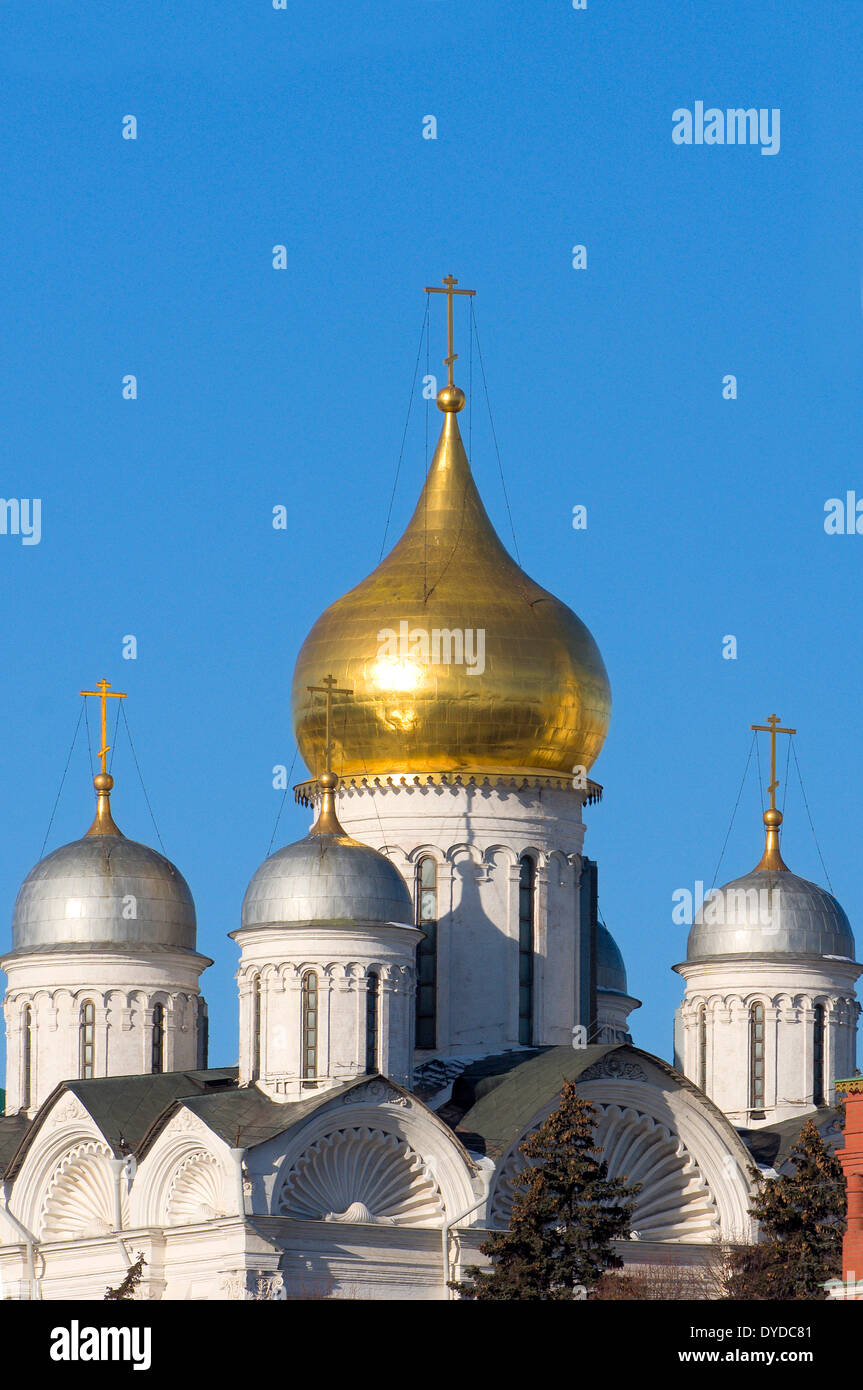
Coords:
212,1223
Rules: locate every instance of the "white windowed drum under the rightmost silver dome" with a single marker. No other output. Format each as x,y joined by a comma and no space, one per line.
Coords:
790,990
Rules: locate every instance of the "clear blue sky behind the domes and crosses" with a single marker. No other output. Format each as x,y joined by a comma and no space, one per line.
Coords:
259,387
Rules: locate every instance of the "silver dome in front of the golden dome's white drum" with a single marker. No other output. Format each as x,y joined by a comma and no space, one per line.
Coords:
331,879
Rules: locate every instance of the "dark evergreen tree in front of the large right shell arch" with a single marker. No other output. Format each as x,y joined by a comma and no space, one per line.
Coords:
566,1214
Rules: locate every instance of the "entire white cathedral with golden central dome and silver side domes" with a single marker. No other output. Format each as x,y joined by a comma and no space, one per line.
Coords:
418,978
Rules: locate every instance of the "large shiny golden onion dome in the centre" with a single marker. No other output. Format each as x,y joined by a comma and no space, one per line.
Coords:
457,661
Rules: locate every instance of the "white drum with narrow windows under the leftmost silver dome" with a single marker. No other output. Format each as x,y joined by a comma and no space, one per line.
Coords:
124,992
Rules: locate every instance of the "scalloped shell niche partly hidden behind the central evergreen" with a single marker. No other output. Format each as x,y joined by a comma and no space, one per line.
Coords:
675,1203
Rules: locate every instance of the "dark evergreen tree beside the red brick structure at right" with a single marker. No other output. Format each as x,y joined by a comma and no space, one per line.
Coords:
803,1220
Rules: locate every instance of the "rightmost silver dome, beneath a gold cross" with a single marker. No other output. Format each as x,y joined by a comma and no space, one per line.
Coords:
771,913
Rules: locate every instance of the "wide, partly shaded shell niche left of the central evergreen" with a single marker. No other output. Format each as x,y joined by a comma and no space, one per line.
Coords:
362,1175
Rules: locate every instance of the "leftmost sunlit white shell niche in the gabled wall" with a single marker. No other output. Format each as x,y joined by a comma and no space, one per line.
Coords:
80,1197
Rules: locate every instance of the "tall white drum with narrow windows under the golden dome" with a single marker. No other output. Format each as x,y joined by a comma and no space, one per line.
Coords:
477,836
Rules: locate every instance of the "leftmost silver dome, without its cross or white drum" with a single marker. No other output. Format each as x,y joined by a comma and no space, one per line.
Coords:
104,890
